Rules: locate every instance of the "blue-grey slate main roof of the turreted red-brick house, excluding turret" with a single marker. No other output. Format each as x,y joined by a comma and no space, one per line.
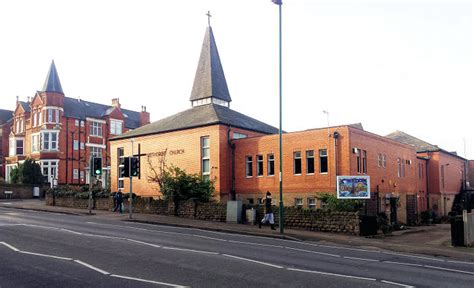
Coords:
81,109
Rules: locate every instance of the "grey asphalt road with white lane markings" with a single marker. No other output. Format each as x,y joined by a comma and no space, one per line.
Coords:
40,249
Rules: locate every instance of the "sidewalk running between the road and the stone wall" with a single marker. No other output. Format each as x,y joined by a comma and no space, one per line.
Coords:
429,240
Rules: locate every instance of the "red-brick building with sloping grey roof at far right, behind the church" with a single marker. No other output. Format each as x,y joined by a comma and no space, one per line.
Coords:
446,172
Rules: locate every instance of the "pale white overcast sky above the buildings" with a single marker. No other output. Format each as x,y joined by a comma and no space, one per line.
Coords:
403,65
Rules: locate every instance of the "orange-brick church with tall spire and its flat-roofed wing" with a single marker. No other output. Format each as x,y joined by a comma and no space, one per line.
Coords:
241,153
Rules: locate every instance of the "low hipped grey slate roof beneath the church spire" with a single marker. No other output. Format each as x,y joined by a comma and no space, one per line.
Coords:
200,116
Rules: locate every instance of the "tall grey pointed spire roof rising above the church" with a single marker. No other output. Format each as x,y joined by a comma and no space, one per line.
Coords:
210,79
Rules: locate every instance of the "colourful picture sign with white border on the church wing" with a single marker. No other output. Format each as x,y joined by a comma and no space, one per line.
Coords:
353,187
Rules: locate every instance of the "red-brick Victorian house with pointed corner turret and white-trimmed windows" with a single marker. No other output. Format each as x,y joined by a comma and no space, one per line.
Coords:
61,133
